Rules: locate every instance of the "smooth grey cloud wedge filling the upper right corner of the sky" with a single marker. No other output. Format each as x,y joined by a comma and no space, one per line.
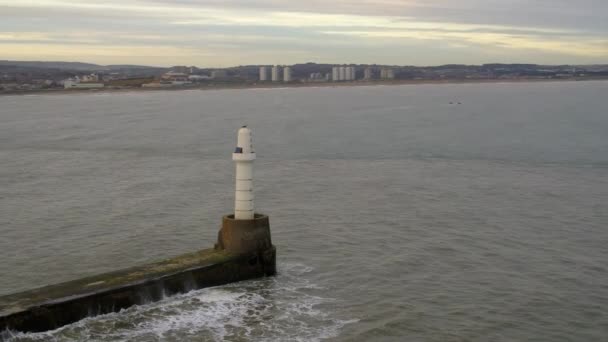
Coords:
581,14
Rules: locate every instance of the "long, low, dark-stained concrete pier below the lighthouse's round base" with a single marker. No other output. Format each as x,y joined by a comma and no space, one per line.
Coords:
53,306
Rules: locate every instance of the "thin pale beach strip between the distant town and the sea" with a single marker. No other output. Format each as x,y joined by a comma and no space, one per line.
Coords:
291,85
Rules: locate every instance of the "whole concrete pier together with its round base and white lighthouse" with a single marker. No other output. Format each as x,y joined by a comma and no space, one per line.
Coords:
243,251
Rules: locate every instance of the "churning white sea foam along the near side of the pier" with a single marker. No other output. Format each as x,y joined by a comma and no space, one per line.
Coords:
279,308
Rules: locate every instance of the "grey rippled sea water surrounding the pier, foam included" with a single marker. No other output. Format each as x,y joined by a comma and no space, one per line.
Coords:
397,215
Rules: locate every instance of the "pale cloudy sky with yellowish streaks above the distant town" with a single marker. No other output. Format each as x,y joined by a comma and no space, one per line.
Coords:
220,33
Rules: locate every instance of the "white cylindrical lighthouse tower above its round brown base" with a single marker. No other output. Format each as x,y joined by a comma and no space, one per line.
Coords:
244,157
